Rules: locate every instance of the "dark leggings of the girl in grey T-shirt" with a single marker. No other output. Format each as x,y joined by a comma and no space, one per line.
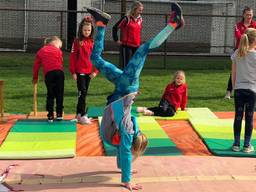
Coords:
244,102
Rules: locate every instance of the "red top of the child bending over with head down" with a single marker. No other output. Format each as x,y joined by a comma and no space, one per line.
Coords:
50,57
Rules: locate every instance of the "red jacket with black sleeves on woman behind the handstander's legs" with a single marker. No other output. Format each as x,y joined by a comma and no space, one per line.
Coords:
130,31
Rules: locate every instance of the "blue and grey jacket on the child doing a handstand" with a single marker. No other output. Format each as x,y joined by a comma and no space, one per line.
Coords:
117,116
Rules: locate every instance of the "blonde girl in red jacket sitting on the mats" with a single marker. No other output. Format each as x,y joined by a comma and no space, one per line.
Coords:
174,97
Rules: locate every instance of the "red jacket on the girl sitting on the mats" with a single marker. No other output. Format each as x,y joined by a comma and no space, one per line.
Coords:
176,95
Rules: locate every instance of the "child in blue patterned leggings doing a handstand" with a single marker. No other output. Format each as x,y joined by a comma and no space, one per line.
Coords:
126,84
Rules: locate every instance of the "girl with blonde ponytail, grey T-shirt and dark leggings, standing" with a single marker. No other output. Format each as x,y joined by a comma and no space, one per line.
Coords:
244,81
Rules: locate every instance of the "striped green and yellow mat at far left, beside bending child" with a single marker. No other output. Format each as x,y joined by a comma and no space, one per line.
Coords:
38,139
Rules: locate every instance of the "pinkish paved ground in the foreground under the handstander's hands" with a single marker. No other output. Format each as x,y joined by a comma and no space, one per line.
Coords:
175,174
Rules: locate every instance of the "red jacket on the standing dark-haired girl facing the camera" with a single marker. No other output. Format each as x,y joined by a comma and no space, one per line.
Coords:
79,60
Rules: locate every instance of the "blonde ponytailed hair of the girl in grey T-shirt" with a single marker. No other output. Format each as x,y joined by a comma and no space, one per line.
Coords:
247,39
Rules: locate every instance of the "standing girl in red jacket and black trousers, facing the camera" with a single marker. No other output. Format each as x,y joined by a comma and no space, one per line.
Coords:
81,67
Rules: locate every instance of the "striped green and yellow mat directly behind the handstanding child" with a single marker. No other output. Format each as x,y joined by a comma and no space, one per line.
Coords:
159,144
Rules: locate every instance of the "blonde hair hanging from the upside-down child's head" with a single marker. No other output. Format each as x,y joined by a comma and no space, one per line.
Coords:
139,145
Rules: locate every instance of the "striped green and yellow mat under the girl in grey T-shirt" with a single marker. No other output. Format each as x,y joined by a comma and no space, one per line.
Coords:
217,134
